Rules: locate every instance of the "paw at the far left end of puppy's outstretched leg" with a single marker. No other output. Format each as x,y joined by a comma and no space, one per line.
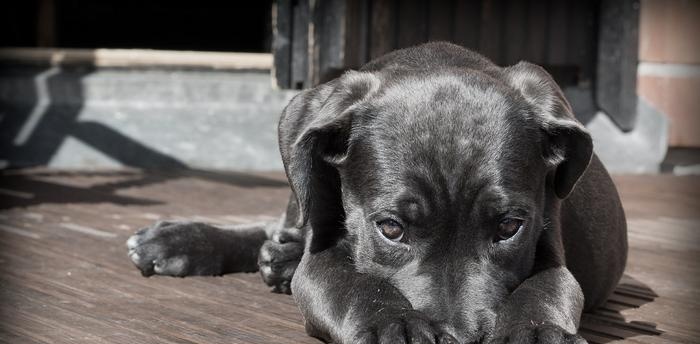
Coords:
175,249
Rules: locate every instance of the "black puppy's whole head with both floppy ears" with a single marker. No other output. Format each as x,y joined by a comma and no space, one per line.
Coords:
442,181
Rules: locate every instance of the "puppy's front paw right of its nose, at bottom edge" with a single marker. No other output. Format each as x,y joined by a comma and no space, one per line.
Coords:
536,334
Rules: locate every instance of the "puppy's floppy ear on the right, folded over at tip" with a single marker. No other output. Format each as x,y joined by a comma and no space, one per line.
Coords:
567,146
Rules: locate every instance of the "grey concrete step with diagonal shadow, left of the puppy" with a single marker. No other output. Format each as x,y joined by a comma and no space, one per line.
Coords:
81,118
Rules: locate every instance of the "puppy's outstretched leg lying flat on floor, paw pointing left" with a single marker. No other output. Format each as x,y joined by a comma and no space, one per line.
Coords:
193,248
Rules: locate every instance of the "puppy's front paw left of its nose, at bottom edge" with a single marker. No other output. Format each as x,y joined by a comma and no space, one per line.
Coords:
402,326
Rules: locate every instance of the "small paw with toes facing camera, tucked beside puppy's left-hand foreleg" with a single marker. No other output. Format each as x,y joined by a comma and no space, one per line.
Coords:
279,258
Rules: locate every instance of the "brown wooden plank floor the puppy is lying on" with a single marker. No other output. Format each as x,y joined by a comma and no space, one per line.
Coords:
65,276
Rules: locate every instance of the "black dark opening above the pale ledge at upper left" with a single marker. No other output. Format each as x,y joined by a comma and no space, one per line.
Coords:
242,26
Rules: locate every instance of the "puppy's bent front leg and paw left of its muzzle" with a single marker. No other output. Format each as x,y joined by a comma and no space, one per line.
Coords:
340,305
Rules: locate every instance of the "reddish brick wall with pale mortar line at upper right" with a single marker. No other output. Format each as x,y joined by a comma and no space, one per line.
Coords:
669,69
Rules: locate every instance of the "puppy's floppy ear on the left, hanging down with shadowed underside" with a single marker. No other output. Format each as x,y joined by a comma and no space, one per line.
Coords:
314,134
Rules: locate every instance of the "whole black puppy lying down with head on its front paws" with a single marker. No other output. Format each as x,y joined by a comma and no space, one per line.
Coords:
440,199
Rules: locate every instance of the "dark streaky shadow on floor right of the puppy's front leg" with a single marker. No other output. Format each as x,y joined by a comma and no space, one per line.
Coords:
607,324
